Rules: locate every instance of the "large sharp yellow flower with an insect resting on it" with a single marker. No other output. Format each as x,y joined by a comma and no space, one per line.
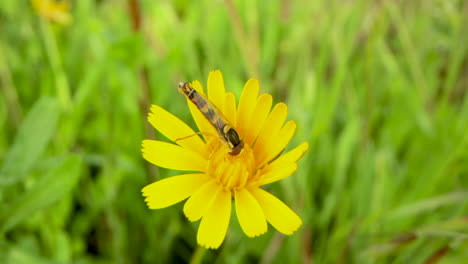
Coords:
220,176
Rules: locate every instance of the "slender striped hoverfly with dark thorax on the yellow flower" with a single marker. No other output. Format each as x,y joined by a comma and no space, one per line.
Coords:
225,130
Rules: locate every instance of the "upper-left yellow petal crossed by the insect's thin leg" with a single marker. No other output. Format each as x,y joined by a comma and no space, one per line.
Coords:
176,130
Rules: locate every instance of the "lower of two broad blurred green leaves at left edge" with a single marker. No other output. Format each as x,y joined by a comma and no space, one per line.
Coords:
57,183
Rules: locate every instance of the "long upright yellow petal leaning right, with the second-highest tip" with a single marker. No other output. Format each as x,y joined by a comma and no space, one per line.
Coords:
246,105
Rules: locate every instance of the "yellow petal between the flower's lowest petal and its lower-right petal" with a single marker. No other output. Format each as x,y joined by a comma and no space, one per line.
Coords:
250,214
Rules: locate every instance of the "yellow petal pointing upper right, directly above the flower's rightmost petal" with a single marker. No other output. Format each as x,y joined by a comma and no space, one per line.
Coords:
280,141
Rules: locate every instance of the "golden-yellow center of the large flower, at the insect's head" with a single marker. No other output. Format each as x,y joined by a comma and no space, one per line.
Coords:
232,172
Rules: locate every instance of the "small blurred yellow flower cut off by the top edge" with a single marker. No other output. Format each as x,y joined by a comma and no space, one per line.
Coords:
56,11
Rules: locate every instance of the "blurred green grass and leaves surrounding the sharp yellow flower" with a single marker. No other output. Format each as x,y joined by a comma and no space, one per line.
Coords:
378,88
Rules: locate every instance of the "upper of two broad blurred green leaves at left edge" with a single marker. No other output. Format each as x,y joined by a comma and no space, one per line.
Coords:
32,138
